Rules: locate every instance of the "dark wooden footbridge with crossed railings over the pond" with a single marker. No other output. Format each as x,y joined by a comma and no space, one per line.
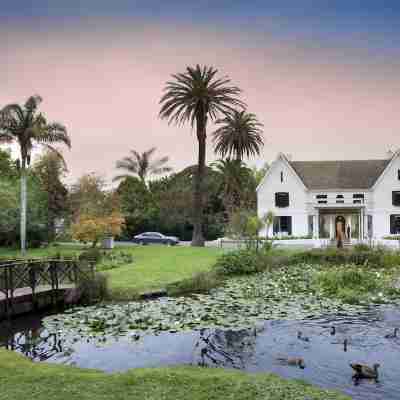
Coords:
26,285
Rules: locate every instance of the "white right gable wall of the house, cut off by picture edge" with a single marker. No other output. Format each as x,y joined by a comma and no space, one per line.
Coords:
381,200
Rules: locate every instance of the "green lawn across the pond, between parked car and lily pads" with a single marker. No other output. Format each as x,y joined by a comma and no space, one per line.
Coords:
156,266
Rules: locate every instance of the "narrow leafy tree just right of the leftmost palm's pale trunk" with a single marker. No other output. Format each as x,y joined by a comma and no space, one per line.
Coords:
50,169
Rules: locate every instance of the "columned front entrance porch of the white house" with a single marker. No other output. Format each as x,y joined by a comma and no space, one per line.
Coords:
350,221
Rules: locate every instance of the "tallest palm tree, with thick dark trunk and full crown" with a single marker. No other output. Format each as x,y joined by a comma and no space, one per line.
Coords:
194,97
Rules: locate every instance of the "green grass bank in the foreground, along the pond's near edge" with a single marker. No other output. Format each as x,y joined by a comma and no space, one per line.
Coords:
21,379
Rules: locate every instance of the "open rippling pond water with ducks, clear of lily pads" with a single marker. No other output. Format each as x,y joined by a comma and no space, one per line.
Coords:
253,350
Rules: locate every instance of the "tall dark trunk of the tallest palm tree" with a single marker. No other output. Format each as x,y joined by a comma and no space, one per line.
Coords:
197,238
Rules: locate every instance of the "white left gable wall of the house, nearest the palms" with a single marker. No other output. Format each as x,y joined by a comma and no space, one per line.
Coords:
297,197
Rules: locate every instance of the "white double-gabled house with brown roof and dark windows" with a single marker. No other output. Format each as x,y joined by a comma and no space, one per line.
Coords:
319,198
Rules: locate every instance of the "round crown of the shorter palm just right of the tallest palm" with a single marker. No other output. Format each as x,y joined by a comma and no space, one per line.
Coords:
239,134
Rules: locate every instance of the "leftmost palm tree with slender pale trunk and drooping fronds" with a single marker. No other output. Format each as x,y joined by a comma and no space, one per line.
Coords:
27,127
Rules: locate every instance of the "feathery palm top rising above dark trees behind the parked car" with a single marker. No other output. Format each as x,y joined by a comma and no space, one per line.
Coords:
142,165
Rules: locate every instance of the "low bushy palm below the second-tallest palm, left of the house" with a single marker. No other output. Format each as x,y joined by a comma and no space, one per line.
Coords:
235,178
